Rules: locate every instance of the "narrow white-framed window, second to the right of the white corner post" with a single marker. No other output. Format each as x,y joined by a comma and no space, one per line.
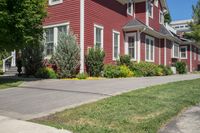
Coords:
116,45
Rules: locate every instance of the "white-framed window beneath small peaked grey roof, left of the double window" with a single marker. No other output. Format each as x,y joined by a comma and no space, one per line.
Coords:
130,45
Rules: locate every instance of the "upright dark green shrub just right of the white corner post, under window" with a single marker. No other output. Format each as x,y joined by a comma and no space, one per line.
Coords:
94,62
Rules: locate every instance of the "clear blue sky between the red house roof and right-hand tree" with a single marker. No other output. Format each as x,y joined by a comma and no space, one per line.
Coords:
181,9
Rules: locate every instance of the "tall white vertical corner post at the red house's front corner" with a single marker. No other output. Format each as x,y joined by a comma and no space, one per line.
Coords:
82,26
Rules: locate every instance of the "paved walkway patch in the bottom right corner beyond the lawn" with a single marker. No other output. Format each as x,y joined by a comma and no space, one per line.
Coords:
187,122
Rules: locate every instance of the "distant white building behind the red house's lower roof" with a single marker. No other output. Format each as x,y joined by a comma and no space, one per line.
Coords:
181,26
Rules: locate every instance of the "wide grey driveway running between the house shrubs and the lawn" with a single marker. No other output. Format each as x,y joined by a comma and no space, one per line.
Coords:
40,98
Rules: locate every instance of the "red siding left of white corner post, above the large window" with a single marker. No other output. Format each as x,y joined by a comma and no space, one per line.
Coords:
68,11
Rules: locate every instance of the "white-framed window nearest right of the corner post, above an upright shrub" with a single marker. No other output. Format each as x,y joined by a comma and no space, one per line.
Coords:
98,36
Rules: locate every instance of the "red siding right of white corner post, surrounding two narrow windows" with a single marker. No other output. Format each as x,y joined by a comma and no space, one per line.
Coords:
109,14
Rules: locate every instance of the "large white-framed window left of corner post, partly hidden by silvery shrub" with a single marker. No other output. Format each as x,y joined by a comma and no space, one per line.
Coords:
51,36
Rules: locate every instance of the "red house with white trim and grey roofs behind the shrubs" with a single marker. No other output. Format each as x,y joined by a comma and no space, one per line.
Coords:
132,27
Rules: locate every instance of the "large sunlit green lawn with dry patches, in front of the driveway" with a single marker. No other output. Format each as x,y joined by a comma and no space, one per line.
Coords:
140,111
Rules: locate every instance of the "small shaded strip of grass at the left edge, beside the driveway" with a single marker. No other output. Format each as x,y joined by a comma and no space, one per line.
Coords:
9,83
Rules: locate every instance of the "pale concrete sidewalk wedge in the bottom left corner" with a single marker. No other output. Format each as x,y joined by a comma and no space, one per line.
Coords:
8,125
